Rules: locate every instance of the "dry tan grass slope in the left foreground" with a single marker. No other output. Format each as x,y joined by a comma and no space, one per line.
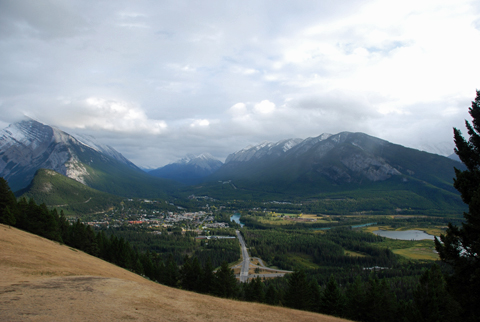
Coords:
44,281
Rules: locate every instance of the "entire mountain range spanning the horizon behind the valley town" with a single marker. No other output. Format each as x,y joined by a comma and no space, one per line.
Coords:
346,164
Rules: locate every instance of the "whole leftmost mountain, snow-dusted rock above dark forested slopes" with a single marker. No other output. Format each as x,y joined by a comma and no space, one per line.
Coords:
28,146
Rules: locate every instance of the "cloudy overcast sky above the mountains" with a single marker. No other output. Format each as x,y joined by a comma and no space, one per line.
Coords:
159,79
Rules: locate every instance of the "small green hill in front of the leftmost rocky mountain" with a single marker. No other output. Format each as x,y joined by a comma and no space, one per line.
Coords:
63,193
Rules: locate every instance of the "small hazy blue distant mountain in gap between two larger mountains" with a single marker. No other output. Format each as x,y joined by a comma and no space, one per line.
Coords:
190,169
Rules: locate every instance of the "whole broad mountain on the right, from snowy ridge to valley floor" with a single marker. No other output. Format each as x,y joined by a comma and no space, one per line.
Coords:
343,166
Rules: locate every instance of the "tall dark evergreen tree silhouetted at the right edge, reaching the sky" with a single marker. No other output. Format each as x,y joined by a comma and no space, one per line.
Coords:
460,246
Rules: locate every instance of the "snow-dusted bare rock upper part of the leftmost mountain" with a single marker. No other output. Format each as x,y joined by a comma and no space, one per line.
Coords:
29,145
